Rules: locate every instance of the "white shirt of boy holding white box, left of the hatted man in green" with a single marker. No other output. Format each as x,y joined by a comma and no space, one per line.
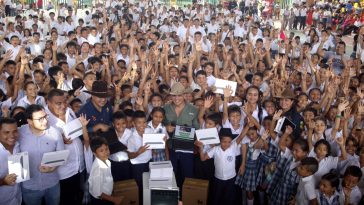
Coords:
134,143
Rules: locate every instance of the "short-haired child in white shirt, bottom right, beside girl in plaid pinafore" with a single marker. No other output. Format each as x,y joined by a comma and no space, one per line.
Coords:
306,194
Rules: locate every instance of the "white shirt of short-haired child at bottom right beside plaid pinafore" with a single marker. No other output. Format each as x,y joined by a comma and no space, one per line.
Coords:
305,191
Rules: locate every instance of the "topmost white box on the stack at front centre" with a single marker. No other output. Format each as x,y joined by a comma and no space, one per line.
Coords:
161,170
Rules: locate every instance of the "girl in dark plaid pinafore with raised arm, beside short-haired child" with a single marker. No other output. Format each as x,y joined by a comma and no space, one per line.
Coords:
283,185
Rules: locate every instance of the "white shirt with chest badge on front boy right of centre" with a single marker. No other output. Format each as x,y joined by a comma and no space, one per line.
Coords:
224,161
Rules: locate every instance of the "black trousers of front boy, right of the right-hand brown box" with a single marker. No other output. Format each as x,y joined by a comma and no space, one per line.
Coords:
223,191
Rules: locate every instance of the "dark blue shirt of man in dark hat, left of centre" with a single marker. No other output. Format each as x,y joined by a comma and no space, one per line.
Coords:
96,117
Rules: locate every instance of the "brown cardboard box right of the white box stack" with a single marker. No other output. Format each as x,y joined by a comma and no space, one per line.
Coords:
195,191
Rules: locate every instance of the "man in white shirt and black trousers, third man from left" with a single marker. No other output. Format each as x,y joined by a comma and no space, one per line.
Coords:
72,172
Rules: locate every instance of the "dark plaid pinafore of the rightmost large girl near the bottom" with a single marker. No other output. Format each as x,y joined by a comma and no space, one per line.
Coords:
284,182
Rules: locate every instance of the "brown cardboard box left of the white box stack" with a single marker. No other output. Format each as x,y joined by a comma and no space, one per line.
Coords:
129,190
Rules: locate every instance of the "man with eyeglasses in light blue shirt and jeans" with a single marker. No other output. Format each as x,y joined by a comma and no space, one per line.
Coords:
38,138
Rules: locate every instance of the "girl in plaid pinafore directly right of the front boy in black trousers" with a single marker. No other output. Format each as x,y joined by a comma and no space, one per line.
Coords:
248,172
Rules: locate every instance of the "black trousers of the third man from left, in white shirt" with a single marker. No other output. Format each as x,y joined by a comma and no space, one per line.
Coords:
71,192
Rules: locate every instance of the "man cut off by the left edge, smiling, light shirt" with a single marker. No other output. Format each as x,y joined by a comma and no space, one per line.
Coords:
10,191
